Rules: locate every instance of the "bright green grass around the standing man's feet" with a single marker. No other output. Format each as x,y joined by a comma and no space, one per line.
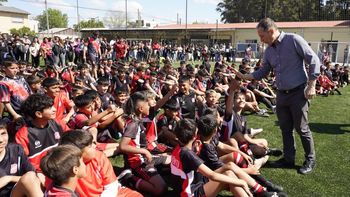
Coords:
329,119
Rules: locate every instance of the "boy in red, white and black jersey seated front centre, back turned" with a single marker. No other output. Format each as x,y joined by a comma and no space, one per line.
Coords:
192,174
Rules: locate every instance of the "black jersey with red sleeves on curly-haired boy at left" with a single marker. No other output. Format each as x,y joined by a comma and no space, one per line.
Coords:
37,141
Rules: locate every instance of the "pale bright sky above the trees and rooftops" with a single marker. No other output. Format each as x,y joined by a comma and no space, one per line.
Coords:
160,11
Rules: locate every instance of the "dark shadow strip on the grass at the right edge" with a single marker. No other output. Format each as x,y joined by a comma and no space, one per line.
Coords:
329,128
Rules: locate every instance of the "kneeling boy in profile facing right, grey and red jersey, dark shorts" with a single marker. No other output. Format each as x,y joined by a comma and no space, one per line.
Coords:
134,146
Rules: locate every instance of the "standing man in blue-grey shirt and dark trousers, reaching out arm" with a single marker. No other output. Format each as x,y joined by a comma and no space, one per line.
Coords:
286,55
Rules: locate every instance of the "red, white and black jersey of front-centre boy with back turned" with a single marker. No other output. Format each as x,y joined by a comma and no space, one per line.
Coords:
184,166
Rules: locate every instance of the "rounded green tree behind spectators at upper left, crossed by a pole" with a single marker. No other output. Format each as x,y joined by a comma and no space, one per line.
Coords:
56,19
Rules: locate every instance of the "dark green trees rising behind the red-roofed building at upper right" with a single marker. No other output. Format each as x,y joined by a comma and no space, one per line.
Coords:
283,10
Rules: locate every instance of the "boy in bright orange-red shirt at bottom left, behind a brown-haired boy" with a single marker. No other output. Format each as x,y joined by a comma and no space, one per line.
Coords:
100,180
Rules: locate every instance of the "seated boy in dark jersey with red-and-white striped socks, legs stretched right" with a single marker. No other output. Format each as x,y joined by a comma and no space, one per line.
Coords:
207,126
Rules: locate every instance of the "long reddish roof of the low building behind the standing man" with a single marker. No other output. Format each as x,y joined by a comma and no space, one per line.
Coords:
252,25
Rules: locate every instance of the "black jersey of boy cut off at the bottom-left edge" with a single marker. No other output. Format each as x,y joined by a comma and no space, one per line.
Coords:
14,163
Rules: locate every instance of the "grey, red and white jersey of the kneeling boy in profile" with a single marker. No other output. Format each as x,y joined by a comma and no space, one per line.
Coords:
135,130
